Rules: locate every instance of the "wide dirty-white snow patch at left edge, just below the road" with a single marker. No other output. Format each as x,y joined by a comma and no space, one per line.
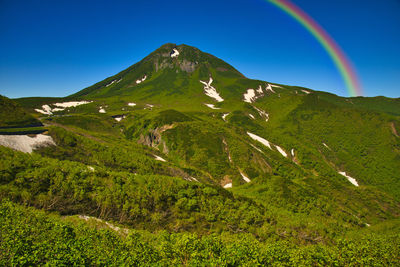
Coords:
25,143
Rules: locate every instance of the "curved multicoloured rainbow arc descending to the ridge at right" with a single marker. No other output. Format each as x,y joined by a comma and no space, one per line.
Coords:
335,52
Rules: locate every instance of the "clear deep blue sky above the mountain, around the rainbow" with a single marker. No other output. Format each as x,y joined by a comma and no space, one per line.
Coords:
56,48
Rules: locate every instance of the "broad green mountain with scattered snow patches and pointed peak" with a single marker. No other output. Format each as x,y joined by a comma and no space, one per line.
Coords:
181,142
